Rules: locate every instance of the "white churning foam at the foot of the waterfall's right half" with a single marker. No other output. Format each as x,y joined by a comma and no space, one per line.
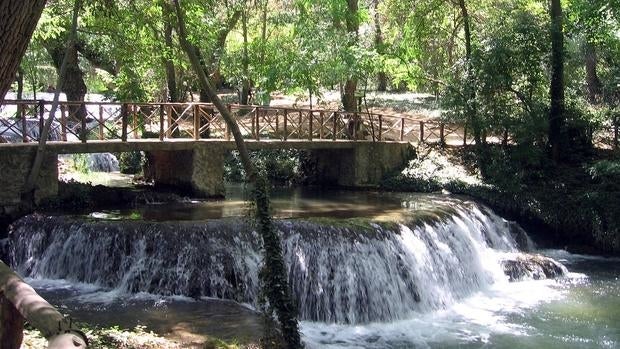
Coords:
472,321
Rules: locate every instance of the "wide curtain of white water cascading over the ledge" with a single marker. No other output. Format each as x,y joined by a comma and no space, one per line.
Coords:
339,271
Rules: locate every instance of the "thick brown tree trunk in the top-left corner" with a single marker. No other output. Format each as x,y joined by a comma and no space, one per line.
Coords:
18,19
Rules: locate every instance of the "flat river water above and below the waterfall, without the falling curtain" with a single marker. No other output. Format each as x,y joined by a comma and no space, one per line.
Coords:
580,310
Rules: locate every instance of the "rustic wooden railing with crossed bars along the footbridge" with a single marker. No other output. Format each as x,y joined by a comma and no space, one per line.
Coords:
22,121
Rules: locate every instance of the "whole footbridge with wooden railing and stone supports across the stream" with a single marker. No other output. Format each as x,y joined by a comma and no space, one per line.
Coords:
185,144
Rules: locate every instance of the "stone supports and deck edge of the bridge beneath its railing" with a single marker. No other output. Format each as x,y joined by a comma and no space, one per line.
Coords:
198,167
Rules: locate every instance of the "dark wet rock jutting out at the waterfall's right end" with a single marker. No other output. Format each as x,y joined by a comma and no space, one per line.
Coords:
532,267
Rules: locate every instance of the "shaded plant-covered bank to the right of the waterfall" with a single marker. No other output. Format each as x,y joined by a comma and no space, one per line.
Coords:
575,206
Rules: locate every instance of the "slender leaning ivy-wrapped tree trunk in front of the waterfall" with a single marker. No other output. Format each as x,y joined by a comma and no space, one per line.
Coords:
273,273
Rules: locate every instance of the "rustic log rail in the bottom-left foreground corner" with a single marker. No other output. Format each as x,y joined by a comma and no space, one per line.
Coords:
20,302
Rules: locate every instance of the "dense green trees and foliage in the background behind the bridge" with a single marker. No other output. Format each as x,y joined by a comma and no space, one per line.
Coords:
495,75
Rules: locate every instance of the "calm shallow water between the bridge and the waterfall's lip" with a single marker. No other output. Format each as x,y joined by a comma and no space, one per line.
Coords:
290,203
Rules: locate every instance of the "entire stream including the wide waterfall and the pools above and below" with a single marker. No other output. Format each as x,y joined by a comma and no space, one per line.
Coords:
368,270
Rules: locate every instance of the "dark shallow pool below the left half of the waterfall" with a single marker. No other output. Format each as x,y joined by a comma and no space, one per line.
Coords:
182,319
